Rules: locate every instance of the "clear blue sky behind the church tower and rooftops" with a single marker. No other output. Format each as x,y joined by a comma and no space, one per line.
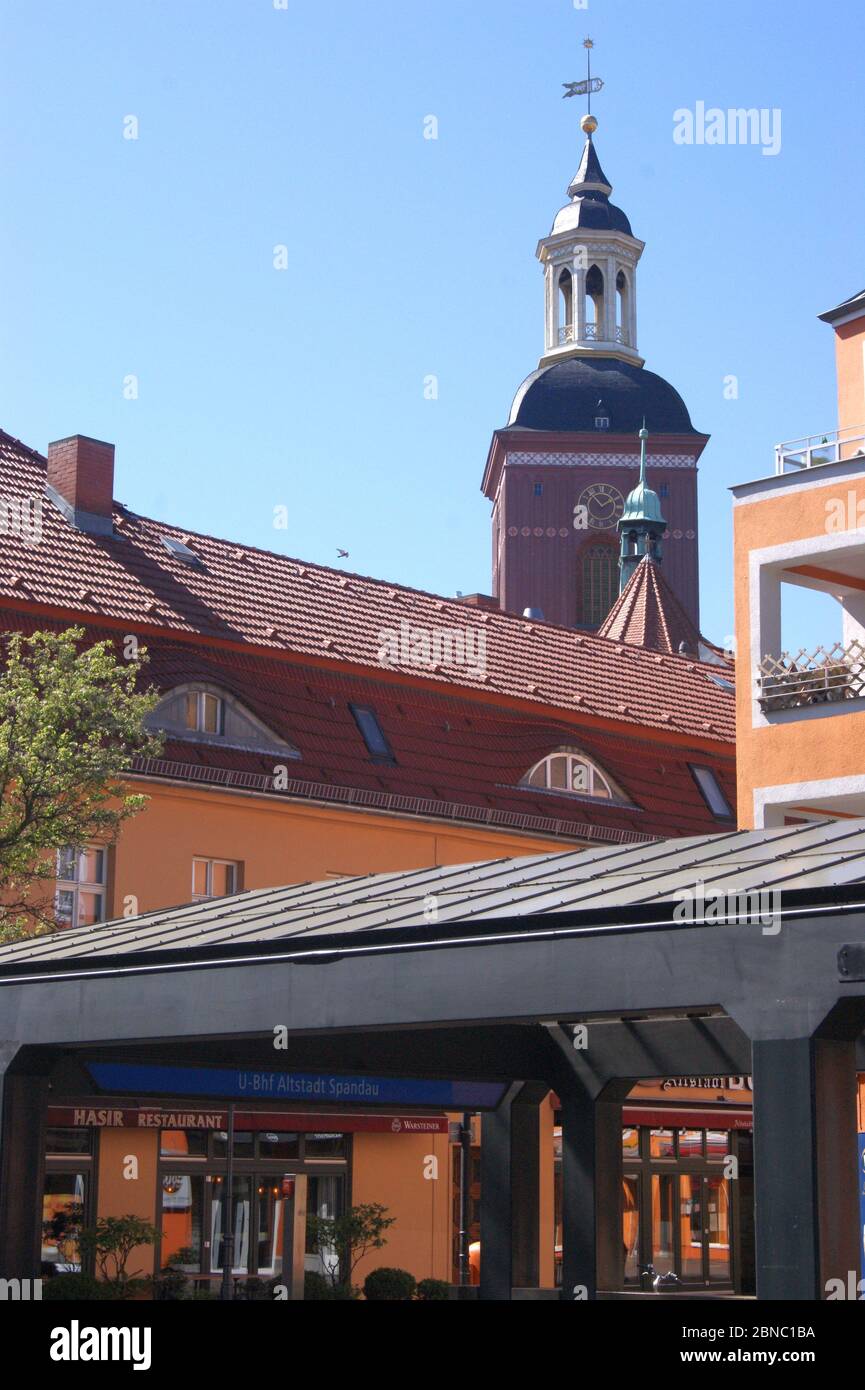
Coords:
405,258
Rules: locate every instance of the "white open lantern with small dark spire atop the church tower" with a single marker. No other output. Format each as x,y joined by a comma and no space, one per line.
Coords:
590,270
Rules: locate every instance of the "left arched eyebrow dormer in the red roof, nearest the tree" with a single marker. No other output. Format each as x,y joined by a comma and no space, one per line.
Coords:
205,714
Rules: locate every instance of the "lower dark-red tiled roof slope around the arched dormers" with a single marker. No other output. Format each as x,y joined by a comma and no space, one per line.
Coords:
460,758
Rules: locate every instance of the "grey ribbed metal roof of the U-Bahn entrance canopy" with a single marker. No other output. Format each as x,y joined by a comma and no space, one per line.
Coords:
595,883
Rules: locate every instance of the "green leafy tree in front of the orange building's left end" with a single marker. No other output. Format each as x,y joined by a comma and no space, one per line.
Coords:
72,722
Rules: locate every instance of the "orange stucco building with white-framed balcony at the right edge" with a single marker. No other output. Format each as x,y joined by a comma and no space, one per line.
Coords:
800,714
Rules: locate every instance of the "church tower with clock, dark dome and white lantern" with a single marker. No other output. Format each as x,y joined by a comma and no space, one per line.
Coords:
560,471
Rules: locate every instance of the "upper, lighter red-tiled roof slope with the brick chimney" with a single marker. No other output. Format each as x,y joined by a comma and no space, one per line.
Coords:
248,598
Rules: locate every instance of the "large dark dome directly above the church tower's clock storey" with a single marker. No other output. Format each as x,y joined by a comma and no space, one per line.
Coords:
565,397
